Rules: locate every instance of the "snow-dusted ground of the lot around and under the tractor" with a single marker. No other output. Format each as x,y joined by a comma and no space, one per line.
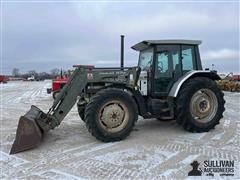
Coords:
155,149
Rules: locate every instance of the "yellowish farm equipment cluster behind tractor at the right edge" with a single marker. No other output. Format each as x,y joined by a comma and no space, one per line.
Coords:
230,83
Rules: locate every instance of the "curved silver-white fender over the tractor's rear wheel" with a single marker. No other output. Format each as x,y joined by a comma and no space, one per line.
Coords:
179,83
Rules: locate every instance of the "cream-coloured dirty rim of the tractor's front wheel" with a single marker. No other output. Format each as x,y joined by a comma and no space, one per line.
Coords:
113,116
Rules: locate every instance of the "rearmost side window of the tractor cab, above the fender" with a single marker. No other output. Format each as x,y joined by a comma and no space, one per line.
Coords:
188,58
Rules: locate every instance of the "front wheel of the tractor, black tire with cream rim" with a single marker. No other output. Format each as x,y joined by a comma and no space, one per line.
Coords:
111,114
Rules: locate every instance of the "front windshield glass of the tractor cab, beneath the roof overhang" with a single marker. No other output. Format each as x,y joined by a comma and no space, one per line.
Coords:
145,59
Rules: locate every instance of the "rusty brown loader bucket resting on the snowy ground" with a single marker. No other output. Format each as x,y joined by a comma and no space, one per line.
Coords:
29,134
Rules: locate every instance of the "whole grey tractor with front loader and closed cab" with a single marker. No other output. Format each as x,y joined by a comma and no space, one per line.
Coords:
167,84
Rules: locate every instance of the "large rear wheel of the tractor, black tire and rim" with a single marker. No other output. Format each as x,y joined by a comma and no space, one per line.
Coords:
199,105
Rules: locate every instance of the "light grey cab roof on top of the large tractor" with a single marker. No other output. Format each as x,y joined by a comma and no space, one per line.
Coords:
145,44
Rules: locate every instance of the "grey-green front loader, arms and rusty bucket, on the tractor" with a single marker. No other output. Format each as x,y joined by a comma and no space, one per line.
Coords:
35,123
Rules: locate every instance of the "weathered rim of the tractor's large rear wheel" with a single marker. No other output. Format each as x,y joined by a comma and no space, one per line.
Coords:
203,105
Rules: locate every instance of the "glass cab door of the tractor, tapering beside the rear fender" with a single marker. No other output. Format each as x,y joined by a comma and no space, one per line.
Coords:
167,68
